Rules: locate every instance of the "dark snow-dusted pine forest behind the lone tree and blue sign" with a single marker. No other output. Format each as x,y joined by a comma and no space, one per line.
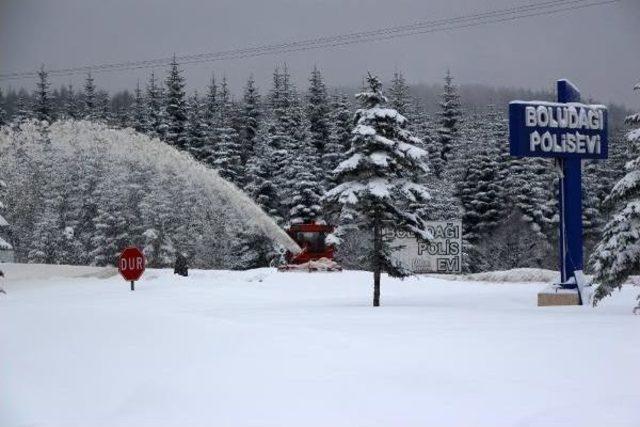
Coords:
281,145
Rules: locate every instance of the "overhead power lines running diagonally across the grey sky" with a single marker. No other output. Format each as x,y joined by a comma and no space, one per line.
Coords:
387,33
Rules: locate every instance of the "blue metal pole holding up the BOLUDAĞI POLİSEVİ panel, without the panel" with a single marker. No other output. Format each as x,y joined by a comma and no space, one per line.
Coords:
570,238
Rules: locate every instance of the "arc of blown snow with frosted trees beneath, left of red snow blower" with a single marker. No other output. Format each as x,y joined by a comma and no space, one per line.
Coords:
79,192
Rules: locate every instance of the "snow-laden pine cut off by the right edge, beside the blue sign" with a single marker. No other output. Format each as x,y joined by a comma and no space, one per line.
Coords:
615,258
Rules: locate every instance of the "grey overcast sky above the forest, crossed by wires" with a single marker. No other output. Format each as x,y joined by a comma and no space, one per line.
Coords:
597,48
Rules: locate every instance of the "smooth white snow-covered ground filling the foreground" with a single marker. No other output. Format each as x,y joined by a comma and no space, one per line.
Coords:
263,348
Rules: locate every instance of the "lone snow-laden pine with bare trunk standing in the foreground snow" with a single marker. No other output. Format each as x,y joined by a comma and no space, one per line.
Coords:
378,183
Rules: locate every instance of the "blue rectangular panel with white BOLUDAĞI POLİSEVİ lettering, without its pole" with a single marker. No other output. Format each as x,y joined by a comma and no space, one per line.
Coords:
555,129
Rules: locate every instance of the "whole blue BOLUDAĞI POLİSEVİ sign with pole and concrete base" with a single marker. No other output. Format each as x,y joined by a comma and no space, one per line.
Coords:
569,132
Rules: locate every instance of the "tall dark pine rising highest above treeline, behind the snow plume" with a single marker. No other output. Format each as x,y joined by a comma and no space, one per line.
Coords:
176,107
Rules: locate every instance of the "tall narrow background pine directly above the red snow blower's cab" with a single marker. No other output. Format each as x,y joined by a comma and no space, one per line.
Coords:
318,116
